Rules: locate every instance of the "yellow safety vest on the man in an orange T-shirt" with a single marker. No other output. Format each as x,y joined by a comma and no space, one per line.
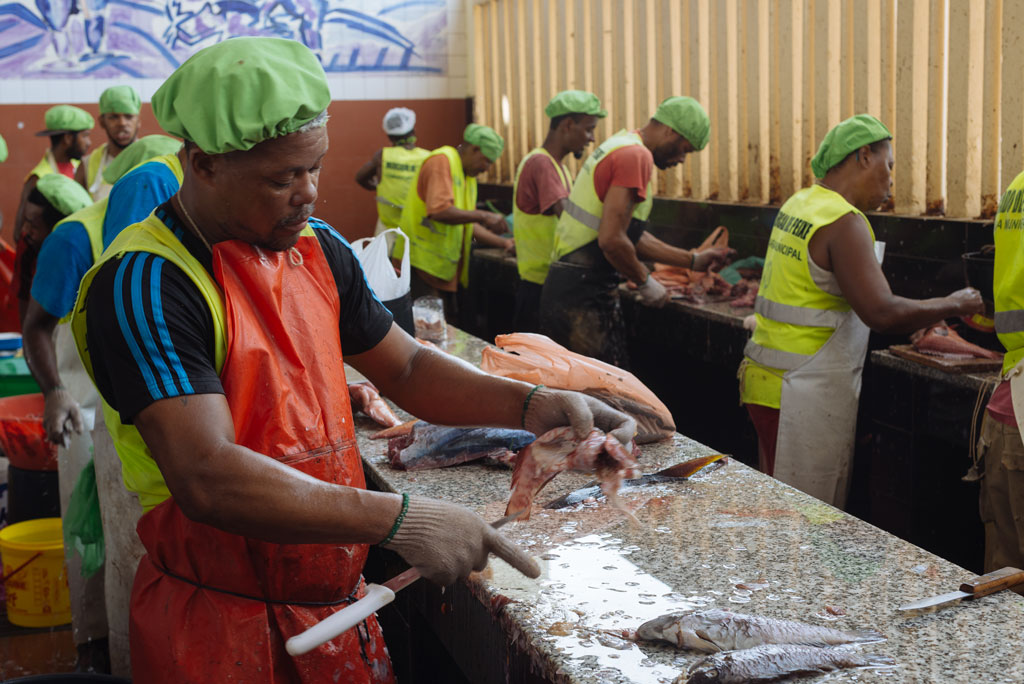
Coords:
437,248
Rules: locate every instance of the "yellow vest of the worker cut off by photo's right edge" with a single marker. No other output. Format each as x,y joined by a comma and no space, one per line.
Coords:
1009,273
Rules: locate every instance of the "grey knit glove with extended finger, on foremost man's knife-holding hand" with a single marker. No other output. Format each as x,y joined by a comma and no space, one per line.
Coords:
446,542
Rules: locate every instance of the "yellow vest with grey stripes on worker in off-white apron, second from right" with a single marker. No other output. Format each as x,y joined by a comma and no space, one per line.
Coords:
795,317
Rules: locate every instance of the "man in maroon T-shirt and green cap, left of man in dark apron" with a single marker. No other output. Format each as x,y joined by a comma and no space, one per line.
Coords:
539,194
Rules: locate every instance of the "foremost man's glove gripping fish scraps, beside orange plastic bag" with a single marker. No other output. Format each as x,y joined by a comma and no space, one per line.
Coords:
550,409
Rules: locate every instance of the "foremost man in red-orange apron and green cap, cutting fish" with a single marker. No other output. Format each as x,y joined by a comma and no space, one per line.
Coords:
215,331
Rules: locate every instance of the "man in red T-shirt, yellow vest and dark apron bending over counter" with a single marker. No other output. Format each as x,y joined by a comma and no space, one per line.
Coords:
602,236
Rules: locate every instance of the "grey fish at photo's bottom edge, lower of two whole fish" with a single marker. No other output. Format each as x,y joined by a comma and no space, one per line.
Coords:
771,663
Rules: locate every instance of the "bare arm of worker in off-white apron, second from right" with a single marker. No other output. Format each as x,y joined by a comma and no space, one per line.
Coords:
845,248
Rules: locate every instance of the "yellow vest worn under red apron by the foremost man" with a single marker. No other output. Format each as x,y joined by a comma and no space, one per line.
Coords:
142,475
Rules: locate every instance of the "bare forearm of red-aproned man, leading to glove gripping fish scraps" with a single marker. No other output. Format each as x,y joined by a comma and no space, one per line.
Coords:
439,388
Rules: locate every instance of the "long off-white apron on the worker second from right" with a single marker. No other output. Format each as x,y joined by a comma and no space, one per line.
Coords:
818,420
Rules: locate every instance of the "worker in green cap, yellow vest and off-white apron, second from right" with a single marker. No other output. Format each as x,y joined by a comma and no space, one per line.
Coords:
822,294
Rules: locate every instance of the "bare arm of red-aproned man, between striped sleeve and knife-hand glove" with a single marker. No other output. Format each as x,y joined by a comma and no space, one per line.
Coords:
222,484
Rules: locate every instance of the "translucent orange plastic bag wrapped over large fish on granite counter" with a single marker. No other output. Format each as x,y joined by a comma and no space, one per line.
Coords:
538,360
